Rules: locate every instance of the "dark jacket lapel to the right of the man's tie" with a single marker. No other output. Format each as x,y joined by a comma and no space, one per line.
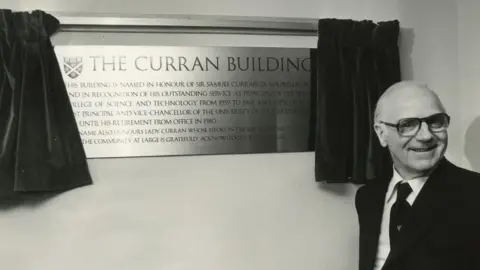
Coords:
427,207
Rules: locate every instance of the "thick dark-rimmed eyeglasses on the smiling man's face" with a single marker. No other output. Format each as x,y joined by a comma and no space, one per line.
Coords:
410,126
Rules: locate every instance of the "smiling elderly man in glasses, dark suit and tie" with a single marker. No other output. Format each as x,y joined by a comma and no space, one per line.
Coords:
426,214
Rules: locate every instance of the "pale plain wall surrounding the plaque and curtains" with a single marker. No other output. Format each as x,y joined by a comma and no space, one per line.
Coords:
220,212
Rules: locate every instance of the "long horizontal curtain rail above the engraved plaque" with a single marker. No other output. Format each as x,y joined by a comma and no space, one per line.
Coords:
87,22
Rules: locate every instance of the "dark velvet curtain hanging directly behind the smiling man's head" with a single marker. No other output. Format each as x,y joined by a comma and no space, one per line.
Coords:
356,62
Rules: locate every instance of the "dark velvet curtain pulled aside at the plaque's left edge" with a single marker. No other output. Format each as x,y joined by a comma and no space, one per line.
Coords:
40,146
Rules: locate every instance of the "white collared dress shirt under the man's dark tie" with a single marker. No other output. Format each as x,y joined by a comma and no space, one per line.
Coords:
390,198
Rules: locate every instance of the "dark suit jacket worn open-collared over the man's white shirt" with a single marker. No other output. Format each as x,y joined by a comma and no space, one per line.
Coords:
443,232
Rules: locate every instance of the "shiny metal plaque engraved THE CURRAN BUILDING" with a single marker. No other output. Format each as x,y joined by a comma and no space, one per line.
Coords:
161,101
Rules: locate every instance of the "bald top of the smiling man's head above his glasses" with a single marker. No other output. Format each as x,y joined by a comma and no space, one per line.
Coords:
403,93
